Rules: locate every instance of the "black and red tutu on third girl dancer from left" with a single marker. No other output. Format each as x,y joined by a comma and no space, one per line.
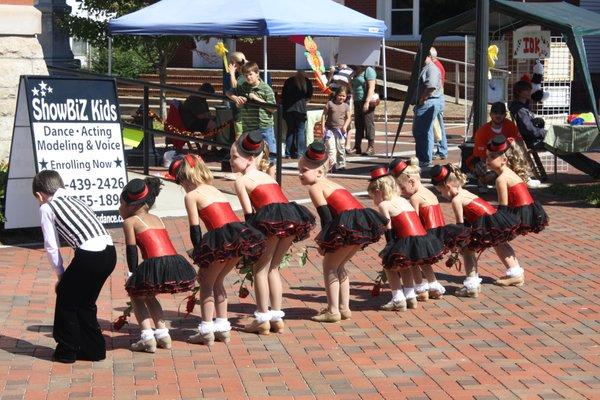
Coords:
283,220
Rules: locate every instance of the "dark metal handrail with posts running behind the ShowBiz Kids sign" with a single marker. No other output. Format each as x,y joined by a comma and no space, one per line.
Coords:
146,126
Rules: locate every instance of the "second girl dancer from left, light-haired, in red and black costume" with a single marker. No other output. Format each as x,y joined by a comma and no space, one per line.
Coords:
216,252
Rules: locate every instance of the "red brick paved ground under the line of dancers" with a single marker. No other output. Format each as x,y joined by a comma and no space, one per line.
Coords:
538,341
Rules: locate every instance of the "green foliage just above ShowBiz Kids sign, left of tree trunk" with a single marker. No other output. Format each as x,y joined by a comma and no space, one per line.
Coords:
126,63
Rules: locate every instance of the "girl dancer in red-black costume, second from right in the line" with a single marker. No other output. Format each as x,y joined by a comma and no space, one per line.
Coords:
489,227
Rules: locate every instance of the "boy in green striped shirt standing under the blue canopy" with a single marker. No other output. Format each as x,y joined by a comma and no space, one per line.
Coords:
255,117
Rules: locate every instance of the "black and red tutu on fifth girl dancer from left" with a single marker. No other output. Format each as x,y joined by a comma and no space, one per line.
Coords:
412,250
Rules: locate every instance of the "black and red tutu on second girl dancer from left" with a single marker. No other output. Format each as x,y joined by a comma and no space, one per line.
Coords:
232,240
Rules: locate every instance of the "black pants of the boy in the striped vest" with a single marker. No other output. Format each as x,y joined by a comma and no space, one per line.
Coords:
76,328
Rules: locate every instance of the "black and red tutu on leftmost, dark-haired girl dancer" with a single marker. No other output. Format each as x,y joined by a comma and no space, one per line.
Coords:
165,274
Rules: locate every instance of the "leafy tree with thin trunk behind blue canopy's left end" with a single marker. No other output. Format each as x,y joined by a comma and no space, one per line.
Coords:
156,50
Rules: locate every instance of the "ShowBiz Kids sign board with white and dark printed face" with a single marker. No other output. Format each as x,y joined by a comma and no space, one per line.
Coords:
76,131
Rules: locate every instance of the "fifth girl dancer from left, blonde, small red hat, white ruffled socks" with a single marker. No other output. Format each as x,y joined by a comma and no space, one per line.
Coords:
409,246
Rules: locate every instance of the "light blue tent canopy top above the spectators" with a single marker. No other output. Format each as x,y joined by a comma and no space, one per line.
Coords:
229,18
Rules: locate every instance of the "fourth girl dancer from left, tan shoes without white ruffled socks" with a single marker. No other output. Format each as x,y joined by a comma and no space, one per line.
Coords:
346,227
